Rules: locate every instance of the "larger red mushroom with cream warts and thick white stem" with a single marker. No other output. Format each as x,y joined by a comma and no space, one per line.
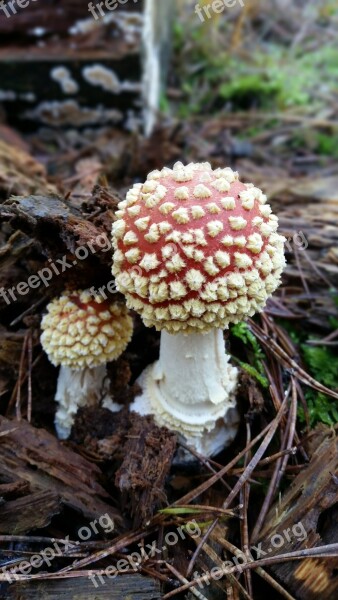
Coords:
195,250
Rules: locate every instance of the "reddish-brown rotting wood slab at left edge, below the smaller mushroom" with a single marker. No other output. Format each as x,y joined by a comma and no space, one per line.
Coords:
36,456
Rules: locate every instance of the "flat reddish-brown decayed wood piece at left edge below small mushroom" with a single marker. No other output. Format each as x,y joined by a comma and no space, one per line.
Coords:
52,470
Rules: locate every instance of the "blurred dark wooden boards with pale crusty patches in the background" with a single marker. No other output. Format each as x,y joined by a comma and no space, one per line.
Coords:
64,67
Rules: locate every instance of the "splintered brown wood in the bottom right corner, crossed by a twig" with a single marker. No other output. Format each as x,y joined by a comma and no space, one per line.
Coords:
307,514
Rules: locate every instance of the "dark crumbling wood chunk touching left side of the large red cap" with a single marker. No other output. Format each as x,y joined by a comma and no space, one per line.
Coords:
59,229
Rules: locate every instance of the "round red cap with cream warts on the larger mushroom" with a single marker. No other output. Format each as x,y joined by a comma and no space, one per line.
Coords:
196,249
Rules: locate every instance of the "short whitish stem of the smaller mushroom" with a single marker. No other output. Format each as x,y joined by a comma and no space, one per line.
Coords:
76,388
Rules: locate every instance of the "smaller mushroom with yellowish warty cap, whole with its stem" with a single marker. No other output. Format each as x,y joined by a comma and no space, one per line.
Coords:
82,333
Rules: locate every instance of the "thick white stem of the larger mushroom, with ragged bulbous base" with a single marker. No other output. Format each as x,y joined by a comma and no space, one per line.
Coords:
191,389
